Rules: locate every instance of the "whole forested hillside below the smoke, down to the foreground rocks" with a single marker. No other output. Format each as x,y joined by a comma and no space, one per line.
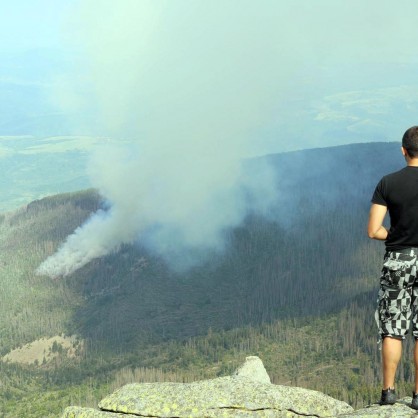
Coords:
297,289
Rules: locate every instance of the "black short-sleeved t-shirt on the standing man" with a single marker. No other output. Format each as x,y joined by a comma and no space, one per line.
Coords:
399,192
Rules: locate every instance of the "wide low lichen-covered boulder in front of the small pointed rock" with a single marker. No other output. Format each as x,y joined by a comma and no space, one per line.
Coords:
219,397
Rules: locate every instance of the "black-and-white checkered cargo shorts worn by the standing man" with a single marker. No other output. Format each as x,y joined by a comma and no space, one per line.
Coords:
397,303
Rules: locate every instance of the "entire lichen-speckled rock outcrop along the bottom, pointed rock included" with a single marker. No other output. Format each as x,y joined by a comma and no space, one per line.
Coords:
247,393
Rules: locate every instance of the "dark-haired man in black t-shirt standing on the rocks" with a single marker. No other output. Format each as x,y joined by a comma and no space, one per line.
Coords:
397,193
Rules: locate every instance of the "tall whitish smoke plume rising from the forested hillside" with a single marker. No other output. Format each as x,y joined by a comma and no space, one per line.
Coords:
187,107
